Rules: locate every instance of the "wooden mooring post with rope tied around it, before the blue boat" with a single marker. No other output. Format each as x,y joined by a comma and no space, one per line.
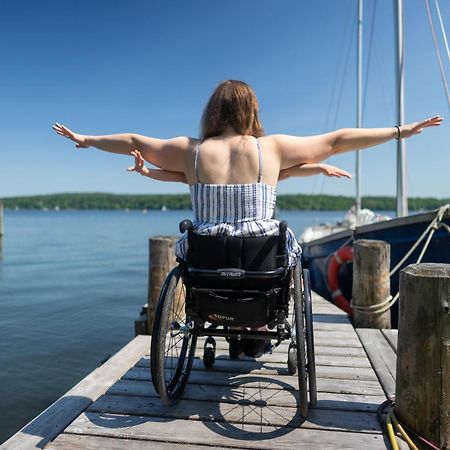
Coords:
371,284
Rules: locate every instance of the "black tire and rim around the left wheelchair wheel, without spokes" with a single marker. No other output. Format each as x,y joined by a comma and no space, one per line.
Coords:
172,388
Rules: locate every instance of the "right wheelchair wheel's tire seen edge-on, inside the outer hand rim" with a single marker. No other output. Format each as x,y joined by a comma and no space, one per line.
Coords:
300,341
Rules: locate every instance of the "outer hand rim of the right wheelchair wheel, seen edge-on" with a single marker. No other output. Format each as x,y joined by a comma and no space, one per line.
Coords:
309,338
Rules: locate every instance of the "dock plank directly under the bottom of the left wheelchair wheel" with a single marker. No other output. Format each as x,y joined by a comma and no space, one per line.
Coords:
278,397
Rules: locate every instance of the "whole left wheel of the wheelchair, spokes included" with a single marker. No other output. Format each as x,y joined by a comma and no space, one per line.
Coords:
173,344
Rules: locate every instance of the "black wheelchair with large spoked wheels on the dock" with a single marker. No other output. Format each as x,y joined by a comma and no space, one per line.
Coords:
229,287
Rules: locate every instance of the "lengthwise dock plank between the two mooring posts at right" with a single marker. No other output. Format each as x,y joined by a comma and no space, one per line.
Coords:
382,357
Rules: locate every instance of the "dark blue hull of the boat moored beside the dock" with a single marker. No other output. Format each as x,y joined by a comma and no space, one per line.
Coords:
400,233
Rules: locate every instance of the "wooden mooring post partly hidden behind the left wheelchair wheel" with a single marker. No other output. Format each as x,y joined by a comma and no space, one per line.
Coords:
161,261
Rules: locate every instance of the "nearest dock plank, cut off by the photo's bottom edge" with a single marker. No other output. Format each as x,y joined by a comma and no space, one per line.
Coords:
67,441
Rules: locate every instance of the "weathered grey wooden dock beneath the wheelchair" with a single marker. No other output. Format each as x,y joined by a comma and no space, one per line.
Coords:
238,404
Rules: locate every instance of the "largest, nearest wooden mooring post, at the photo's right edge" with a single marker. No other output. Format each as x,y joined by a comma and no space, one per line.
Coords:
422,391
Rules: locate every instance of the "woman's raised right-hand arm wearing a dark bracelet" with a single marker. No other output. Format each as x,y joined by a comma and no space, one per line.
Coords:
297,150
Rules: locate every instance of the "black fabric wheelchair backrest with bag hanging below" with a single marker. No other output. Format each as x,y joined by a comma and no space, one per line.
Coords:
235,280
